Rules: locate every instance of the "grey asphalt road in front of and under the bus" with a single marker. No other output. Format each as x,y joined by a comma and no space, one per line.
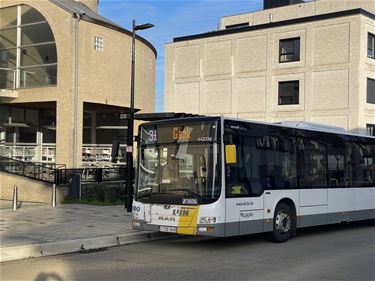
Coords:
342,252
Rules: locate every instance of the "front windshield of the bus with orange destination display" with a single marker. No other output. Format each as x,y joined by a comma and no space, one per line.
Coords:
179,164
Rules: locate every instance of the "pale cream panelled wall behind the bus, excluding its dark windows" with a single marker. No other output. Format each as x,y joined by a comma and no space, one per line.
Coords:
238,74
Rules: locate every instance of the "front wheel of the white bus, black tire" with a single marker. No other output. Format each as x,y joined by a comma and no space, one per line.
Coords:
283,223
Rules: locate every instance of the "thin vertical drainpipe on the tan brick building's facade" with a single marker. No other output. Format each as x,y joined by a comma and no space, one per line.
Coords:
77,16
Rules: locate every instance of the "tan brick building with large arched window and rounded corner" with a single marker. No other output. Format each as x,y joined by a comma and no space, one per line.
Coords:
65,81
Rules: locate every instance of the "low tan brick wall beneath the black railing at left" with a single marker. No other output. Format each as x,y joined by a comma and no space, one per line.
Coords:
28,190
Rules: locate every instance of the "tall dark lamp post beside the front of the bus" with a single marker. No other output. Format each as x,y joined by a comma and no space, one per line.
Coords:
130,137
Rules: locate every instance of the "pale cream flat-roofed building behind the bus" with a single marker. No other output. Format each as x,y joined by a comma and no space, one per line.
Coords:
296,60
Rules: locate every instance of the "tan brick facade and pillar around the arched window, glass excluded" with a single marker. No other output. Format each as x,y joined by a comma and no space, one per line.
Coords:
103,77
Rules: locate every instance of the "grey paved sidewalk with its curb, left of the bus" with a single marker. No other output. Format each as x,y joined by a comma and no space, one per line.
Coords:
36,230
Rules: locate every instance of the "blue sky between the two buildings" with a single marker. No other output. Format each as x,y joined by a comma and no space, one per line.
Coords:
172,18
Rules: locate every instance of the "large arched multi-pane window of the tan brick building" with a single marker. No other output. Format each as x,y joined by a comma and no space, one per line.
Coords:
28,56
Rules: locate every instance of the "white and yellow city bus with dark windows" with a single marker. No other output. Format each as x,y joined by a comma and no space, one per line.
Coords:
217,176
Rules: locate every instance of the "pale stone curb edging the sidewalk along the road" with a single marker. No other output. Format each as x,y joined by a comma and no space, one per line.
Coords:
78,245
